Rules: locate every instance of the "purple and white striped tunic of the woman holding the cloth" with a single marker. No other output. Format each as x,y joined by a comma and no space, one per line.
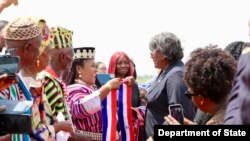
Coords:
85,108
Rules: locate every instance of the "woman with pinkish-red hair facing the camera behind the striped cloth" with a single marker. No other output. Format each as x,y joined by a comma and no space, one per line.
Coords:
122,67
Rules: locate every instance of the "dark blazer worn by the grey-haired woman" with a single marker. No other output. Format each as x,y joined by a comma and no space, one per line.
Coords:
168,88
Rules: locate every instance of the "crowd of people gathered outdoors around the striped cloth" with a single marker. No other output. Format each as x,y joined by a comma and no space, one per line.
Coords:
60,80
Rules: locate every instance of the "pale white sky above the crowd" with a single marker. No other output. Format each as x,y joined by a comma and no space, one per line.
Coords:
128,25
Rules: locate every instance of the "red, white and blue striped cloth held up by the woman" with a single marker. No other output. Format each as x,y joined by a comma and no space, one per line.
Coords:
109,111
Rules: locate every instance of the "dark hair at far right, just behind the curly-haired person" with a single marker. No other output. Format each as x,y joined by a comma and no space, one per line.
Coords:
235,48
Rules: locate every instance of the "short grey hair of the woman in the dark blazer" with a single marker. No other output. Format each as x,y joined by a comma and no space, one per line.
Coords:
168,44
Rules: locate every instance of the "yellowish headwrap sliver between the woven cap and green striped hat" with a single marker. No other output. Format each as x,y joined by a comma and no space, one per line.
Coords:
45,31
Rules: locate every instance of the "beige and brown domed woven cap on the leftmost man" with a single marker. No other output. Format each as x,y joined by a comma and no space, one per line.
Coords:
21,29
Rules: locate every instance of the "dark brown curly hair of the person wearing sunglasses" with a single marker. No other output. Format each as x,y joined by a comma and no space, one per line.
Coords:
209,72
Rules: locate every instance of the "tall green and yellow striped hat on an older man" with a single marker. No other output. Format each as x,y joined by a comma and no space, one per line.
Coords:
60,37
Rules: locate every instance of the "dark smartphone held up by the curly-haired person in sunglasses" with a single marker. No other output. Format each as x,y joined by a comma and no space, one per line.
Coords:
176,111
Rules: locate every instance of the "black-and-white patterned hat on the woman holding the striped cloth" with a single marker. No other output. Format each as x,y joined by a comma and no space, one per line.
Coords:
84,52
